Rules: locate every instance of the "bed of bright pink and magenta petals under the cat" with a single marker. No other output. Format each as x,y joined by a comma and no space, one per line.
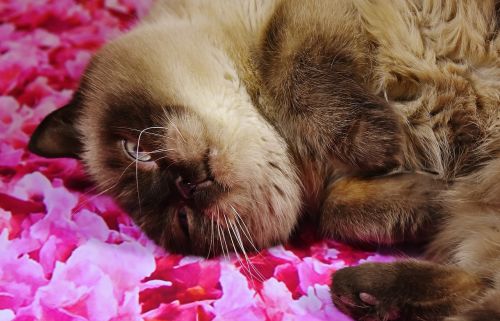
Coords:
69,254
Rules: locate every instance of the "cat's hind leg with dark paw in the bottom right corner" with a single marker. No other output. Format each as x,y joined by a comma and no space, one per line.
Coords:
468,288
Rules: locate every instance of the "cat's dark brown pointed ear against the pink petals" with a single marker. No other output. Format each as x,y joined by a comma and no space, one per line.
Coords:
56,136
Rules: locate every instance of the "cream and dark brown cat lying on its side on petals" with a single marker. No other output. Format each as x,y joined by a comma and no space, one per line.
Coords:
219,123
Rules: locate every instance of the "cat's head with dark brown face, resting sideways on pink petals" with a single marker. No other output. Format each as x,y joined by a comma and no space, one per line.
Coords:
167,128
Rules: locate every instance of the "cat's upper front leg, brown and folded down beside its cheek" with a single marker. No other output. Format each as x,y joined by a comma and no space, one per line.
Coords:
318,78
